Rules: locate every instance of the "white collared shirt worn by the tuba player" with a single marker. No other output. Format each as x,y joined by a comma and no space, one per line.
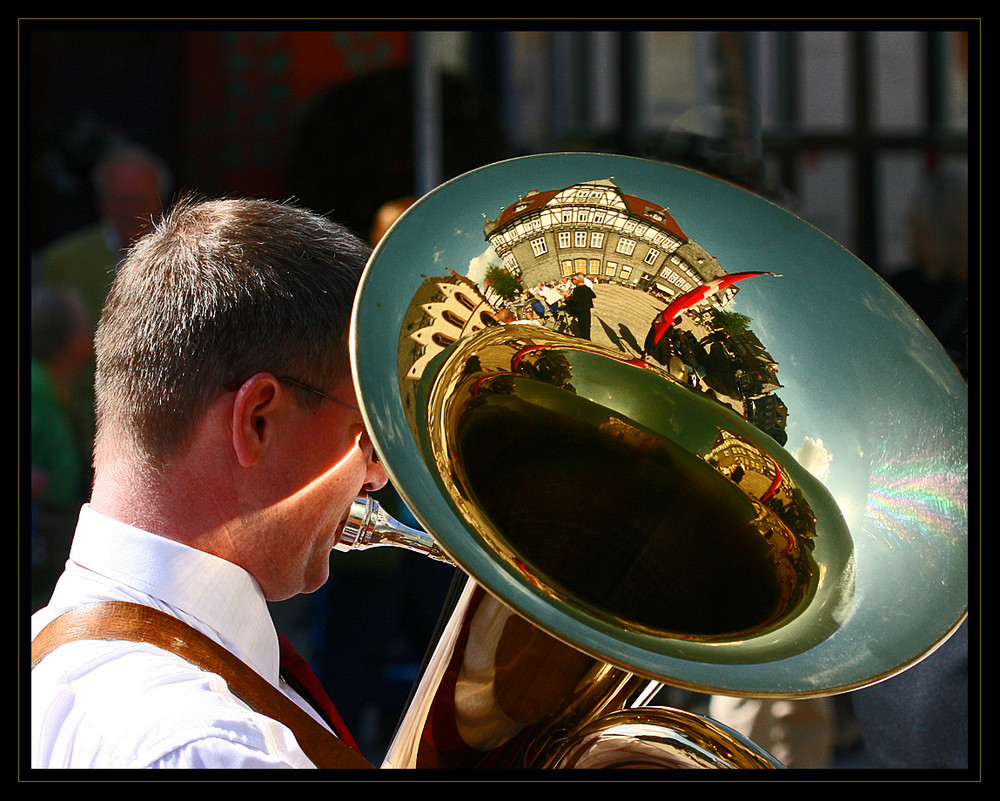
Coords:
130,705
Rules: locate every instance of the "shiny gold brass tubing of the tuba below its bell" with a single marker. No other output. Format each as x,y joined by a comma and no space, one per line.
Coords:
499,692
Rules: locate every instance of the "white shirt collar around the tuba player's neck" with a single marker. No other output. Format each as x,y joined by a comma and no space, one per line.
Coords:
219,594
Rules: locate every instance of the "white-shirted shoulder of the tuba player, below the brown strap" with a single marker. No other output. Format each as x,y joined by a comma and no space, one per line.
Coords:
135,705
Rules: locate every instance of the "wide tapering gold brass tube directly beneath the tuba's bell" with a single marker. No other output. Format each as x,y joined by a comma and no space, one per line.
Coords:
501,693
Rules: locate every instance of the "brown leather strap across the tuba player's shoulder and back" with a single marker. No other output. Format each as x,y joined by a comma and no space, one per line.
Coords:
117,620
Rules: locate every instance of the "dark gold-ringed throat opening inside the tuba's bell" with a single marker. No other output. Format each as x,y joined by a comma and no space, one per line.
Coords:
701,546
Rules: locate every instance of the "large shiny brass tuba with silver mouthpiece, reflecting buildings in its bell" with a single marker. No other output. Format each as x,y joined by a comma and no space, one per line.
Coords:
749,480
